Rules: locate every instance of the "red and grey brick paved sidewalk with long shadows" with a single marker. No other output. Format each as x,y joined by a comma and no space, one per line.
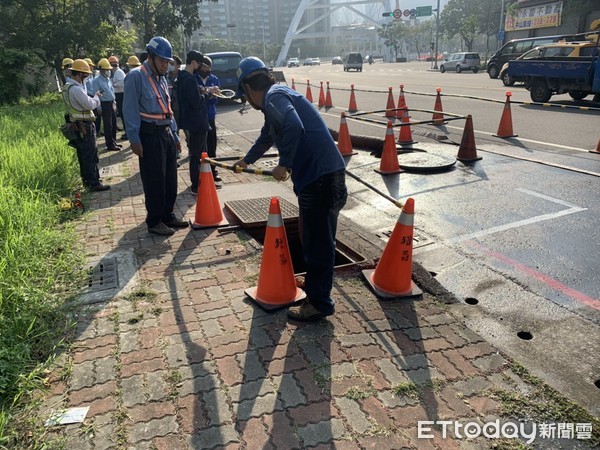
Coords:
184,361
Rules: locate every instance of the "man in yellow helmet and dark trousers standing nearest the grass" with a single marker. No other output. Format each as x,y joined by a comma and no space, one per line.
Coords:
80,113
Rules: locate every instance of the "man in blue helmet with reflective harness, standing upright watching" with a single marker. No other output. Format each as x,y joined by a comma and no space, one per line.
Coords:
152,132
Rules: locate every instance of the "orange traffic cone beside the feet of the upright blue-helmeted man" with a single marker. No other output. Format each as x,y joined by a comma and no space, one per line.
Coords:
208,209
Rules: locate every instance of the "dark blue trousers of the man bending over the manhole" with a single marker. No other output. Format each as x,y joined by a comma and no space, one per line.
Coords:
320,204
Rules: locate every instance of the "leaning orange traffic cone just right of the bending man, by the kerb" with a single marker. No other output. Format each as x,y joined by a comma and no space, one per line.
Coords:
392,278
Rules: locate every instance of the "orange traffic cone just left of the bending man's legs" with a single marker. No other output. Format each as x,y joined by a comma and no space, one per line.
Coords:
276,283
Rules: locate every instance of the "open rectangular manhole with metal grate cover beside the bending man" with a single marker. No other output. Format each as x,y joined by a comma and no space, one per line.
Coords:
253,215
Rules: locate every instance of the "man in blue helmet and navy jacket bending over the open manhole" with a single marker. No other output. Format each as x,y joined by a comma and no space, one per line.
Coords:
307,150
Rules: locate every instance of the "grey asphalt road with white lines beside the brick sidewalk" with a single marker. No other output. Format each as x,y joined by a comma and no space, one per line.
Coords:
515,236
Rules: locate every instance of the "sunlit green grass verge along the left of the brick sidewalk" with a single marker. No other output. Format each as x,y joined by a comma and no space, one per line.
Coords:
40,264
